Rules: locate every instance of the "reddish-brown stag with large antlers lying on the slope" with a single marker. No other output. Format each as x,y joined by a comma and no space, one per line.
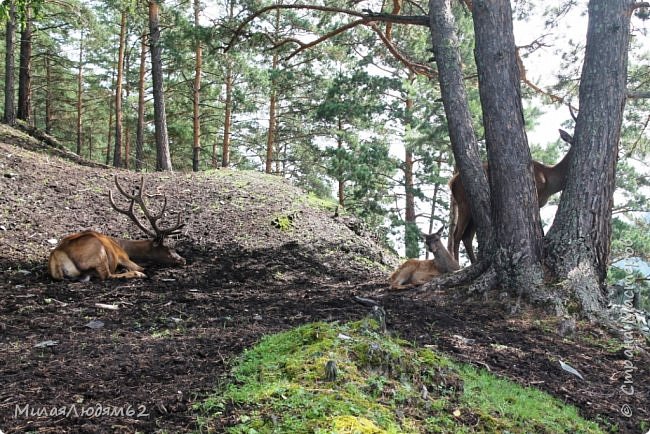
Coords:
85,253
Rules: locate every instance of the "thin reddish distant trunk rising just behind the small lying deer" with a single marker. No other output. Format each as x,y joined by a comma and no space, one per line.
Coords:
411,231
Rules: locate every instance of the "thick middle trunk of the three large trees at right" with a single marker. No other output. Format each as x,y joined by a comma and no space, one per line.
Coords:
513,193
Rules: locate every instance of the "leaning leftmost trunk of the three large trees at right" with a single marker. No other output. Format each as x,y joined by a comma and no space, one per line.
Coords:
461,132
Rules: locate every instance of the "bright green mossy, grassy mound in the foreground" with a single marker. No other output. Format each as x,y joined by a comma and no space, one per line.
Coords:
381,385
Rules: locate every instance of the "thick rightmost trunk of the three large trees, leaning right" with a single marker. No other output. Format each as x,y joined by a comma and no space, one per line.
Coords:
578,243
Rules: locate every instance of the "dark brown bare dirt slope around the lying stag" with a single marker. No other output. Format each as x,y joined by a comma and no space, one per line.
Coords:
260,260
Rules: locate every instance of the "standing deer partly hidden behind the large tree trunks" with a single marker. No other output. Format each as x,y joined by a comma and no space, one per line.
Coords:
548,181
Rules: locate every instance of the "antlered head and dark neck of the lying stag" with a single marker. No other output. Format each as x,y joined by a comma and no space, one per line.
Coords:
153,250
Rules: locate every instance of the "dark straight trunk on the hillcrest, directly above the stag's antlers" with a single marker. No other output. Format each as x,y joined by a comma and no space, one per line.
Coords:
163,157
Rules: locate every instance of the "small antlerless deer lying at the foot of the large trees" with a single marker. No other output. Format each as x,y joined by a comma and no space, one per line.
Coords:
415,272
